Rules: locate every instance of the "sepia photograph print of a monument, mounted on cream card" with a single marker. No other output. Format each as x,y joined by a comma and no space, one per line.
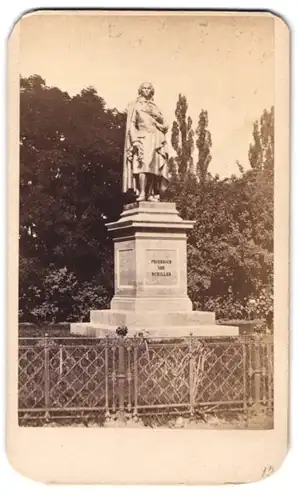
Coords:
146,221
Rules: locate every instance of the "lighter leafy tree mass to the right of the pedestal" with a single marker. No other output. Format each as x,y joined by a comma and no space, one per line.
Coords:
230,249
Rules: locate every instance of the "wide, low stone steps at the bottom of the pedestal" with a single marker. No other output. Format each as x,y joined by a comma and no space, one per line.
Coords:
154,324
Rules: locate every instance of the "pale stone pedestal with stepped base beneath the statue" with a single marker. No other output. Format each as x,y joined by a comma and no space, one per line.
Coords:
150,278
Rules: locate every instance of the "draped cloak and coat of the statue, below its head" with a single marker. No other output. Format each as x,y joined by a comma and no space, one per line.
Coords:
149,134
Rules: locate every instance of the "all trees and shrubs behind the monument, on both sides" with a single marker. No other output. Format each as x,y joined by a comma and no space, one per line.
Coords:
71,151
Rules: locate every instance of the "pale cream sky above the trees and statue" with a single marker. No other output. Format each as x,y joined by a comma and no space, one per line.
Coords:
222,64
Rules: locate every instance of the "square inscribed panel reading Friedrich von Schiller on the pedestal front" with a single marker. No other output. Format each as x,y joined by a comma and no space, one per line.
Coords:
161,267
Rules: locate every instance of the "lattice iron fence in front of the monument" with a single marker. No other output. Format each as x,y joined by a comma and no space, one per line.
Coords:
67,377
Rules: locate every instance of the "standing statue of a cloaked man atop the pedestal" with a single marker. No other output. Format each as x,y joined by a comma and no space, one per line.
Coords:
145,156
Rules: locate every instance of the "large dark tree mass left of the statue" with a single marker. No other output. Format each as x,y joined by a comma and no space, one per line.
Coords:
71,166
